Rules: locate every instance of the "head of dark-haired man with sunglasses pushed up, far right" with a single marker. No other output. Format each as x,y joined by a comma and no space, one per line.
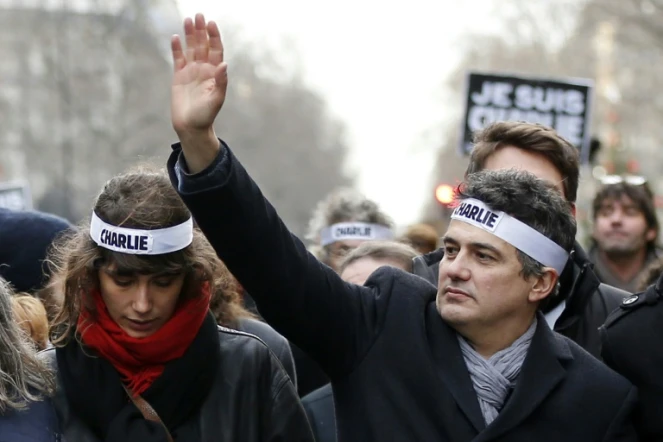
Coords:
625,231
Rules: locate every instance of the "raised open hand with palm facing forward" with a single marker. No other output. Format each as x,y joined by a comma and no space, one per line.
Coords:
201,78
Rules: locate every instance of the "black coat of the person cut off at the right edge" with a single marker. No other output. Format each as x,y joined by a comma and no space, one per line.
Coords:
632,346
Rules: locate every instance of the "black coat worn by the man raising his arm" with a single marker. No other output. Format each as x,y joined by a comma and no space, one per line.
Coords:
396,367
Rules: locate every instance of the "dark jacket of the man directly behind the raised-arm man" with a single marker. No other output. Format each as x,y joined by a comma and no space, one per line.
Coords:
588,301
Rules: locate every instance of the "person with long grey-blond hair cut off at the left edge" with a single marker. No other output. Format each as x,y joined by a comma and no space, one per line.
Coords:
26,413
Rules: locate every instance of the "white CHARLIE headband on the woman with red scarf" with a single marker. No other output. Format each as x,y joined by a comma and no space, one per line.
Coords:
141,242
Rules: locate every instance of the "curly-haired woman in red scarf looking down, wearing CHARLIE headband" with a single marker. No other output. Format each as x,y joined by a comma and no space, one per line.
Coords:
139,356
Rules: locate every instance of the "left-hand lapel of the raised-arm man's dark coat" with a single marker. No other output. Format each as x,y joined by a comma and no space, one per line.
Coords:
451,366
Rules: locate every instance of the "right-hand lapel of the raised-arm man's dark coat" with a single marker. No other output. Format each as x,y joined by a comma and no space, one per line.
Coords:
542,371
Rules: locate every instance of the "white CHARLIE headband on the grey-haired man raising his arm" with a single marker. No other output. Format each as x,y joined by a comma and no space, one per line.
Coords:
526,239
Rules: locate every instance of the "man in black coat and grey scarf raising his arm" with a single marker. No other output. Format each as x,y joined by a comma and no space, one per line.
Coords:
473,360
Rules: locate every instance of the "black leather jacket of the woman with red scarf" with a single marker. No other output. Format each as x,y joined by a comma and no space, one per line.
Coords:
252,399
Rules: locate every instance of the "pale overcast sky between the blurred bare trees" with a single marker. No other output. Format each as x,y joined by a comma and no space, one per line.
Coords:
380,66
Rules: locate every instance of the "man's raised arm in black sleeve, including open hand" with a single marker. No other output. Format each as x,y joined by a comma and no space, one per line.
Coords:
306,301
